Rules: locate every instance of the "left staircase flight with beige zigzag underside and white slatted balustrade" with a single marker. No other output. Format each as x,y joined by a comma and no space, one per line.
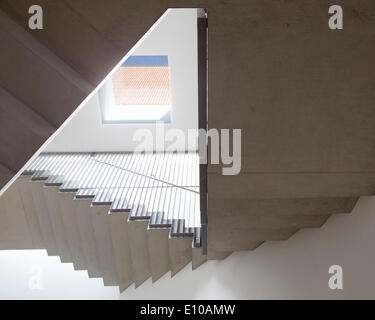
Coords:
108,229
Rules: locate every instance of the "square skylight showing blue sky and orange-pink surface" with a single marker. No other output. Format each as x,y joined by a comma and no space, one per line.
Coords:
139,91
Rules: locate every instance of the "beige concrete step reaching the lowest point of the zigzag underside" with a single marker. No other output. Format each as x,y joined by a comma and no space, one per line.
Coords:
118,222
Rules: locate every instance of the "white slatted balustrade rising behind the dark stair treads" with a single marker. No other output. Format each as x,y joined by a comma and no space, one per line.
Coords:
101,176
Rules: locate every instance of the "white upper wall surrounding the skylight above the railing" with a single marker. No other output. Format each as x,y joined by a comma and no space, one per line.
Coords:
175,36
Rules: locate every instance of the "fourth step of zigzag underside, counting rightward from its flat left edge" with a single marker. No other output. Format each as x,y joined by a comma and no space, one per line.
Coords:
86,230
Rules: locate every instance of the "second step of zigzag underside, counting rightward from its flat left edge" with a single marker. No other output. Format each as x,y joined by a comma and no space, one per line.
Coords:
54,209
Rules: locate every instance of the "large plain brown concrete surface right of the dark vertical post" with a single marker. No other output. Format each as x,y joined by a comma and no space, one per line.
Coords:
302,95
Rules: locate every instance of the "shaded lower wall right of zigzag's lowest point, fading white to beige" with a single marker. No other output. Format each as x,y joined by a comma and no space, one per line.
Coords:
293,269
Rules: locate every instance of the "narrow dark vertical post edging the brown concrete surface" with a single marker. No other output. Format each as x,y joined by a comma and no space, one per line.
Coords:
202,122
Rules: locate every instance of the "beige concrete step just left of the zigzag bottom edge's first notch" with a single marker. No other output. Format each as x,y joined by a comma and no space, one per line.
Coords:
30,211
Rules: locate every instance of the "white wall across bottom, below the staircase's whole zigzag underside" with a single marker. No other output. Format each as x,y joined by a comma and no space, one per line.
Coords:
296,268
